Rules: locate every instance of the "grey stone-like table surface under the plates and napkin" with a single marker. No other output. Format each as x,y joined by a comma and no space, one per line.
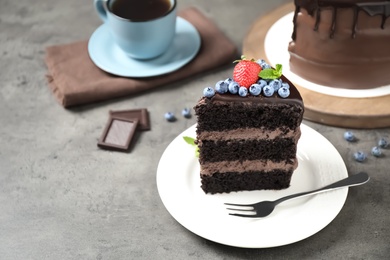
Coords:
61,197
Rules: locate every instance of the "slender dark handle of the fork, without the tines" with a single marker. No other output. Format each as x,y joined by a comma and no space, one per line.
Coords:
352,180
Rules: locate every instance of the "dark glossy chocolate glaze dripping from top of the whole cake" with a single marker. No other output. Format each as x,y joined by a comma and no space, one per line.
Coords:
314,7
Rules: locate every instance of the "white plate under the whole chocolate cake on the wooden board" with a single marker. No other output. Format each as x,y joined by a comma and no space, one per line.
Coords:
275,45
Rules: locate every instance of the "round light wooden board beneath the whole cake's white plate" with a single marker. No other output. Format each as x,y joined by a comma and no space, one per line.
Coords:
368,113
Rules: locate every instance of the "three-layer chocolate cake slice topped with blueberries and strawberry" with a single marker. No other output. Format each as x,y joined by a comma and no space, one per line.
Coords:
247,136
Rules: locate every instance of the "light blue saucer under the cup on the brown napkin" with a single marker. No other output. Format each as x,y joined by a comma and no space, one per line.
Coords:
110,58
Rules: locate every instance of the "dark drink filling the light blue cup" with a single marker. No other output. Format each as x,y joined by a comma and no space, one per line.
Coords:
140,10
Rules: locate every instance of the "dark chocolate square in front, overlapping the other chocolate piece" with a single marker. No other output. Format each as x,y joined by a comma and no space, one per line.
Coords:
118,133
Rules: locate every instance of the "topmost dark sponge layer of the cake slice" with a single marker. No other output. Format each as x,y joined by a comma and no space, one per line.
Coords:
215,115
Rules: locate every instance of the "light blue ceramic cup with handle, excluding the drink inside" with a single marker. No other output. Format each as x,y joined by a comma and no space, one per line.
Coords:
139,39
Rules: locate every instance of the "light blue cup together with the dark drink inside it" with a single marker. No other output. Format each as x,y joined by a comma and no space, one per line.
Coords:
142,29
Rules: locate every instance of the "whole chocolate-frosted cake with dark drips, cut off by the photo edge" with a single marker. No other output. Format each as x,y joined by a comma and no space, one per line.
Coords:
342,44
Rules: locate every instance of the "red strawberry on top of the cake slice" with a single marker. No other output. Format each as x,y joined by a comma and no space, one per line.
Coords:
246,72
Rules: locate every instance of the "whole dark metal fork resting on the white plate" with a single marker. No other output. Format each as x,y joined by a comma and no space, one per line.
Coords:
264,208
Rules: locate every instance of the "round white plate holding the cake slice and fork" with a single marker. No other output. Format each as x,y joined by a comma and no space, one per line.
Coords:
320,164
